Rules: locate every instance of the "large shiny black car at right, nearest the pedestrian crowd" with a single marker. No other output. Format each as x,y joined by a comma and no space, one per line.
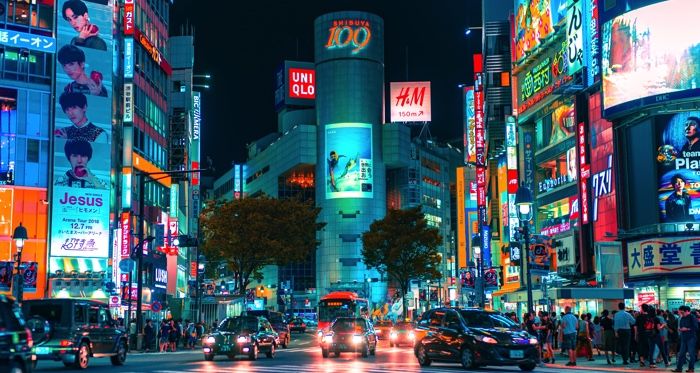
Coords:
474,338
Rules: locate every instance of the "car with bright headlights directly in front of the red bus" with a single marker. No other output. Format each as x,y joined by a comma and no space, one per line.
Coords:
349,334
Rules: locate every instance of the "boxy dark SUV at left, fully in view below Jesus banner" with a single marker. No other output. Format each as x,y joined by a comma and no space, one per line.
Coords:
75,330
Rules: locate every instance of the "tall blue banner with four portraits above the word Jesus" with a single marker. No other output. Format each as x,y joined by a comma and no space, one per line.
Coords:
82,130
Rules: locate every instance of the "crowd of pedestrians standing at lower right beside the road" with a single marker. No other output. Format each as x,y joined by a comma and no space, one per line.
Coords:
647,336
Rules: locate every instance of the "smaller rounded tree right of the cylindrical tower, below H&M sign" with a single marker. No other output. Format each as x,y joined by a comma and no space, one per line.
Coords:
404,247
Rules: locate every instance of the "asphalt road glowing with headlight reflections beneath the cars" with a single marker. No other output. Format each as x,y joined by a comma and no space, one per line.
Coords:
303,355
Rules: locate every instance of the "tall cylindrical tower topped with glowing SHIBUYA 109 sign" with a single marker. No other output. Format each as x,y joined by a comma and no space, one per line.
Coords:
351,187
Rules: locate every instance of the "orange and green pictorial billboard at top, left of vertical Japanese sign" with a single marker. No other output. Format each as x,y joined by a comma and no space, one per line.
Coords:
534,21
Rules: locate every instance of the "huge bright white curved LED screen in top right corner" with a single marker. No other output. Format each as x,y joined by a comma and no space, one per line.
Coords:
651,55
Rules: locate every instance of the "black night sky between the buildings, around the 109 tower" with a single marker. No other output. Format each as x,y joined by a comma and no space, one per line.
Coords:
260,34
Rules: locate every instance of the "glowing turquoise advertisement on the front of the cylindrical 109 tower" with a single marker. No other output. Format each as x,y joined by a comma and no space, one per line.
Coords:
349,170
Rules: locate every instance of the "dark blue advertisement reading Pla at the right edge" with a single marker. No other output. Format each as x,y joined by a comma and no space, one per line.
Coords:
678,157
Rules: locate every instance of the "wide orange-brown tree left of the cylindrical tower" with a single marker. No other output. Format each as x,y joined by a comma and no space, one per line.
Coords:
251,233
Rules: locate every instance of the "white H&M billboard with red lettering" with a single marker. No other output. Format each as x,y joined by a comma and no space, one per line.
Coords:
410,101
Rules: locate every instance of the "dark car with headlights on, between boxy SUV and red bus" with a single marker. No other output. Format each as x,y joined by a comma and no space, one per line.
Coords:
241,335
